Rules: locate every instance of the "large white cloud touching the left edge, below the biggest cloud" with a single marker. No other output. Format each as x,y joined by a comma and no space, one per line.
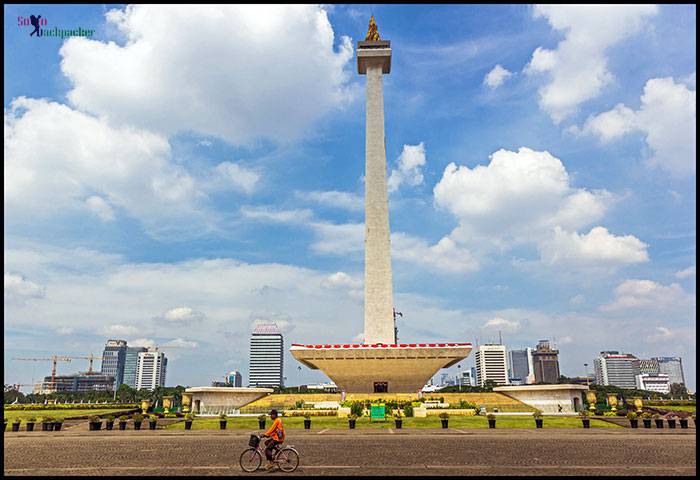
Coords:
81,156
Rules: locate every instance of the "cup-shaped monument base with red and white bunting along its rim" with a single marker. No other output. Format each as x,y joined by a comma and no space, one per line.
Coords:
379,368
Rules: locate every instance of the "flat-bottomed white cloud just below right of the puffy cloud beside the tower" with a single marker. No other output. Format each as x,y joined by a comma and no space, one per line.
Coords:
596,247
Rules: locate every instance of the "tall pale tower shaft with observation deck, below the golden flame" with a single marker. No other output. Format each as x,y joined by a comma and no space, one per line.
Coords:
374,59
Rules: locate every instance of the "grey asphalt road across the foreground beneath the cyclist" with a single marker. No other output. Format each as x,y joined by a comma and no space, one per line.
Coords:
392,452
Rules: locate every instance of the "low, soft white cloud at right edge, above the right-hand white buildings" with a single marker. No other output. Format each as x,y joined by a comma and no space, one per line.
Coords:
648,295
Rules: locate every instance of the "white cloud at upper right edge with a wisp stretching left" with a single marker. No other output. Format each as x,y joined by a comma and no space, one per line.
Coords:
666,118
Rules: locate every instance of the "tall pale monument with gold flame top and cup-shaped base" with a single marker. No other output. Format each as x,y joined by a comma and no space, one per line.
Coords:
378,365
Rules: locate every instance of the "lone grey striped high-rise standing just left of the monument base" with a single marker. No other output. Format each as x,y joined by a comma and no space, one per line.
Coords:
266,356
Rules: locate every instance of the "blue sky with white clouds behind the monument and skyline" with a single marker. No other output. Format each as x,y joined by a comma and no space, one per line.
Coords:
189,172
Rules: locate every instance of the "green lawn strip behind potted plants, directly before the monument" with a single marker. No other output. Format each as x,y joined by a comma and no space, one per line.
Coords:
319,423
